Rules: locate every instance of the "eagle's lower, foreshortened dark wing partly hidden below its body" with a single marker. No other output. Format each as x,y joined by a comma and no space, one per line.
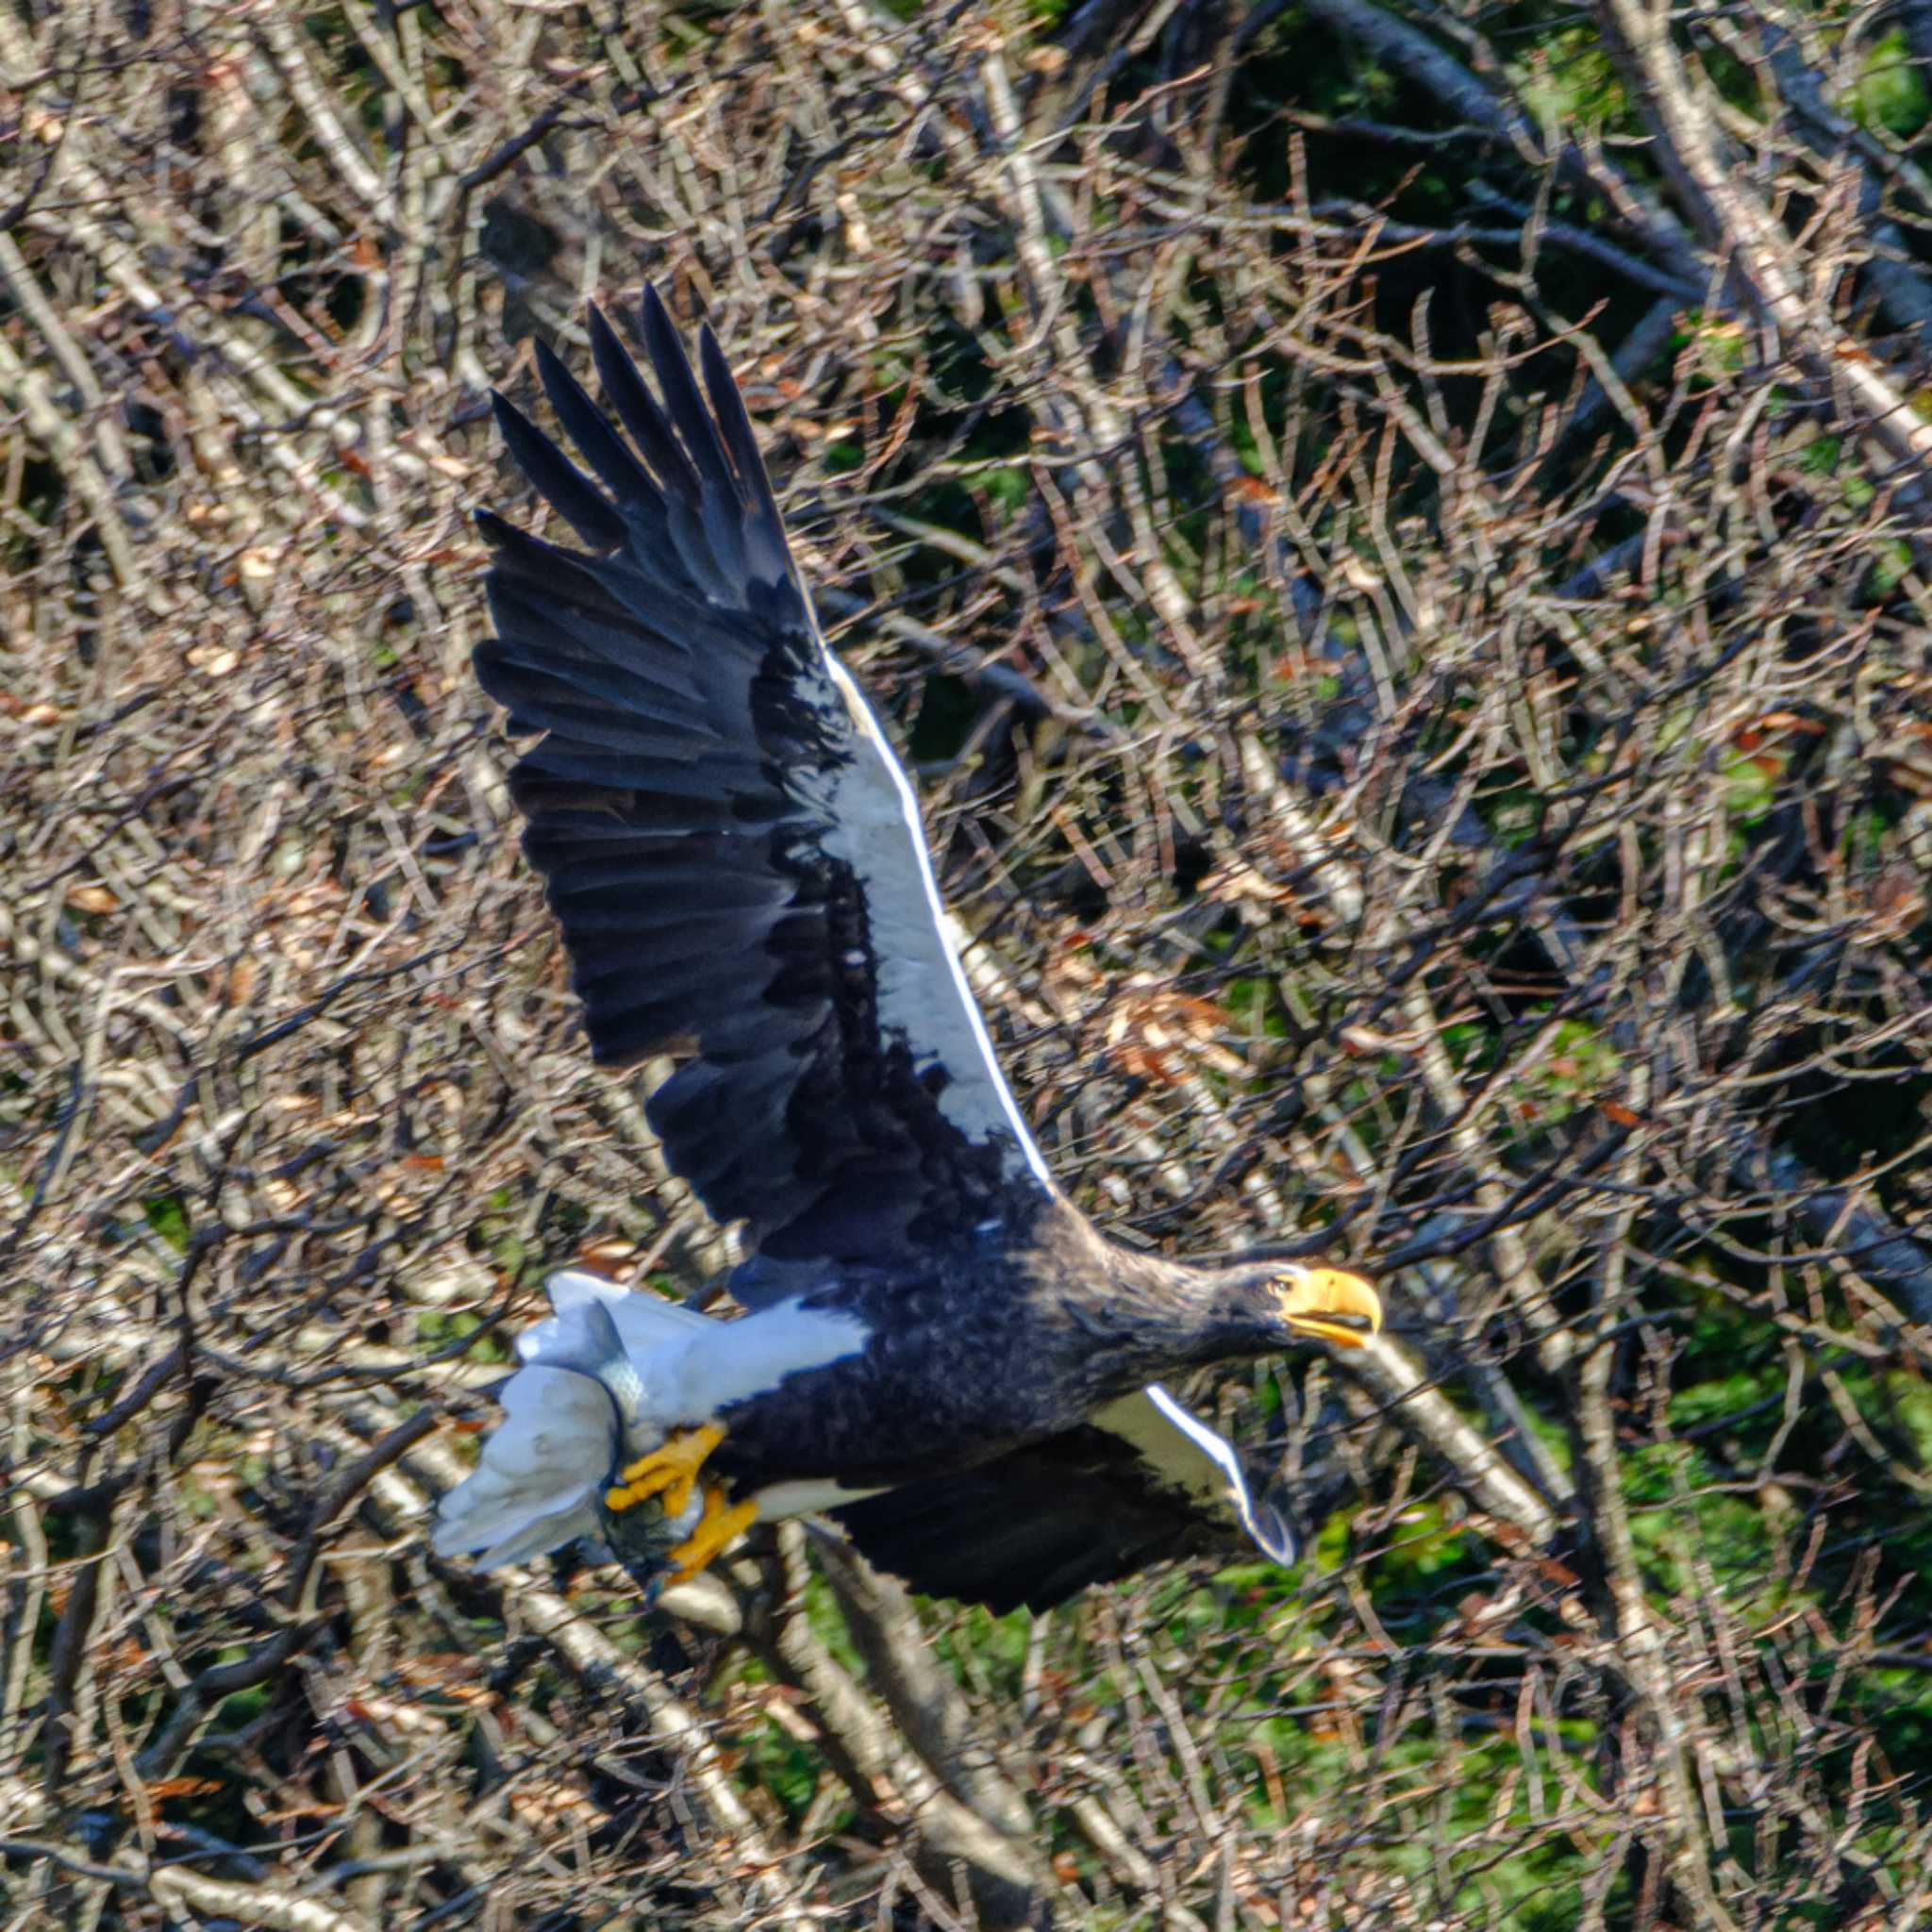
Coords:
1139,1485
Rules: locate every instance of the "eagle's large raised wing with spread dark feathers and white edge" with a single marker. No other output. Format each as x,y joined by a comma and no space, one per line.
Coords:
729,845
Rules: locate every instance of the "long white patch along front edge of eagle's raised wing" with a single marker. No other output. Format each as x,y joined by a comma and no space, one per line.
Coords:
874,828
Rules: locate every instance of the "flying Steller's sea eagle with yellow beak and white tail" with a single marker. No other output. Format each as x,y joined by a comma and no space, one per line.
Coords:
938,1350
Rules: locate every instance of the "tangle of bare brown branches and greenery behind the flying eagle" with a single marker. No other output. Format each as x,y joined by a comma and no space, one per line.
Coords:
1394,538
